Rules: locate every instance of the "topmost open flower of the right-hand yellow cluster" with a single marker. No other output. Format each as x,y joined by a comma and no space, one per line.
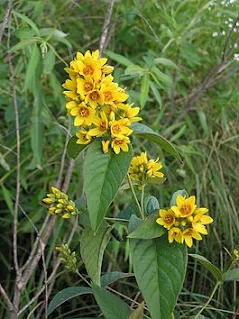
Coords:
185,206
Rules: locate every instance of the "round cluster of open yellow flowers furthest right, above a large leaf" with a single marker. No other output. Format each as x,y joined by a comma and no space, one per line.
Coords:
184,221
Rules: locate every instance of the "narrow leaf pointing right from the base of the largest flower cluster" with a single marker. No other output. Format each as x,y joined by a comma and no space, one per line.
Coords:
145,131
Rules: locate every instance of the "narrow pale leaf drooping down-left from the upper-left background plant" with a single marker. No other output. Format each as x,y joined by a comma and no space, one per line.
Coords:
31,68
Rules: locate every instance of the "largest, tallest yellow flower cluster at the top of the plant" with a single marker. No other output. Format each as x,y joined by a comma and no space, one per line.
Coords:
98,103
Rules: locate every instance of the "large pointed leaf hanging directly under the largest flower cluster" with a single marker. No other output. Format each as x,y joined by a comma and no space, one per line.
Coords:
103,175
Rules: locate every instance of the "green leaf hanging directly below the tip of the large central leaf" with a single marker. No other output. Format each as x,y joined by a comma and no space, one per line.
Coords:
92,247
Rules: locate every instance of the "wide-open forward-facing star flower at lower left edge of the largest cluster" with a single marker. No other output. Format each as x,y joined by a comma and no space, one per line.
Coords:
84,114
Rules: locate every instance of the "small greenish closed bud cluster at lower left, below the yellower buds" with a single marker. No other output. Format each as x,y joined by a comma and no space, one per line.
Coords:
67,258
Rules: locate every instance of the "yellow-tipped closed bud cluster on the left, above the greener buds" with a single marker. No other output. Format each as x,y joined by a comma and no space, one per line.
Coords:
60,205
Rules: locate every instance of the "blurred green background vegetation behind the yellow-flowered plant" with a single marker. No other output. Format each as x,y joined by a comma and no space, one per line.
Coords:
186,63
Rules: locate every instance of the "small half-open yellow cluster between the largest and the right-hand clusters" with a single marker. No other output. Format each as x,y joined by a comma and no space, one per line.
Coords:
142,170
